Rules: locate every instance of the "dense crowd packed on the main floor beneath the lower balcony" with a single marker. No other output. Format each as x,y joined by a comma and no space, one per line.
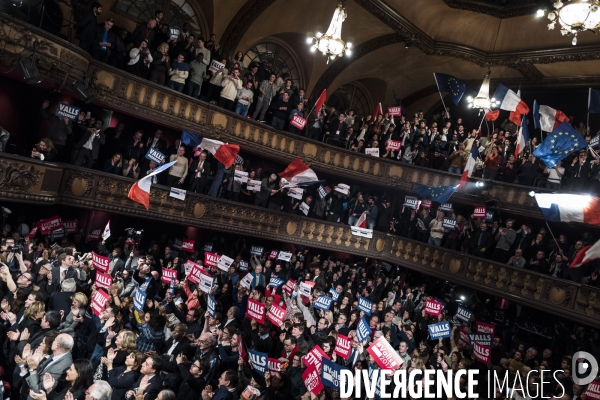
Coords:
59,343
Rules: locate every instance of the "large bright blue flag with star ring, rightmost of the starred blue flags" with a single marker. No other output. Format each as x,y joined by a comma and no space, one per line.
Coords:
557,146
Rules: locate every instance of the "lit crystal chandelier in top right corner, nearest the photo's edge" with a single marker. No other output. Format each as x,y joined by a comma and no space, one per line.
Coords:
575,16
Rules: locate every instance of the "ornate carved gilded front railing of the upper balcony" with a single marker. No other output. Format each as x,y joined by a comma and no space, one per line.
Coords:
60,61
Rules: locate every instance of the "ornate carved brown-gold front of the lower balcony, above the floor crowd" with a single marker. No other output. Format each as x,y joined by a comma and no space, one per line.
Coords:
69,185
